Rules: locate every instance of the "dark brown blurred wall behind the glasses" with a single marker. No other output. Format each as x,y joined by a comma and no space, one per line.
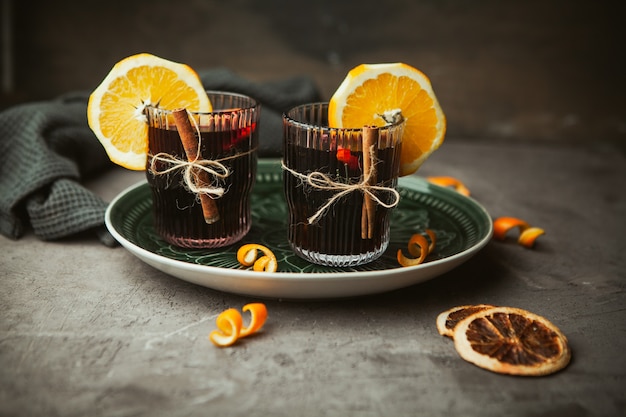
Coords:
544,70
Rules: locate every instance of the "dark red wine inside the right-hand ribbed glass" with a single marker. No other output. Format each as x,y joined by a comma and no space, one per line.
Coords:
338,230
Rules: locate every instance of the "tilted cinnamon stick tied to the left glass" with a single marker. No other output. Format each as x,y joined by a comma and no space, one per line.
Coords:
191,143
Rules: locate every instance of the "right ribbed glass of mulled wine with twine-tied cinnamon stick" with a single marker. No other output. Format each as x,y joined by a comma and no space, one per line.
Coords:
340,186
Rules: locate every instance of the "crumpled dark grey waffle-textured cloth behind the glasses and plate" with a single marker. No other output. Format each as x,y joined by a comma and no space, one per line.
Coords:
47,149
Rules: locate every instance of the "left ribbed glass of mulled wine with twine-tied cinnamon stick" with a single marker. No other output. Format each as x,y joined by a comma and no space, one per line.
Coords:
201,168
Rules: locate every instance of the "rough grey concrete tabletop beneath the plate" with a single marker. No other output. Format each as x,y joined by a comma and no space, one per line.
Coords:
91,330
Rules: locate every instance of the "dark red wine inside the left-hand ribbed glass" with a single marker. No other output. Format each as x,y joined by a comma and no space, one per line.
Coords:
178,215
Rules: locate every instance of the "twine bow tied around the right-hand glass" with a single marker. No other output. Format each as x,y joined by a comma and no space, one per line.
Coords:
324,182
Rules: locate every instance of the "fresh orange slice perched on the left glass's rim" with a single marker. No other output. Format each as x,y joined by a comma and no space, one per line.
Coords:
115,111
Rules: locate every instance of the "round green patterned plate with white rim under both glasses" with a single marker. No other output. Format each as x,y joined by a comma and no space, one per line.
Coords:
462,225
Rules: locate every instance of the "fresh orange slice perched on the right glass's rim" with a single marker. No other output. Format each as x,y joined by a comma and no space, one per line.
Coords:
375,94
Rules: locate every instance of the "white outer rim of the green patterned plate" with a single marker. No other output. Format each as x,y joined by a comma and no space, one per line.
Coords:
296,285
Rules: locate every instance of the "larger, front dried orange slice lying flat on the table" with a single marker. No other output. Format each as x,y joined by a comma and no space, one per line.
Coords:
511,341
